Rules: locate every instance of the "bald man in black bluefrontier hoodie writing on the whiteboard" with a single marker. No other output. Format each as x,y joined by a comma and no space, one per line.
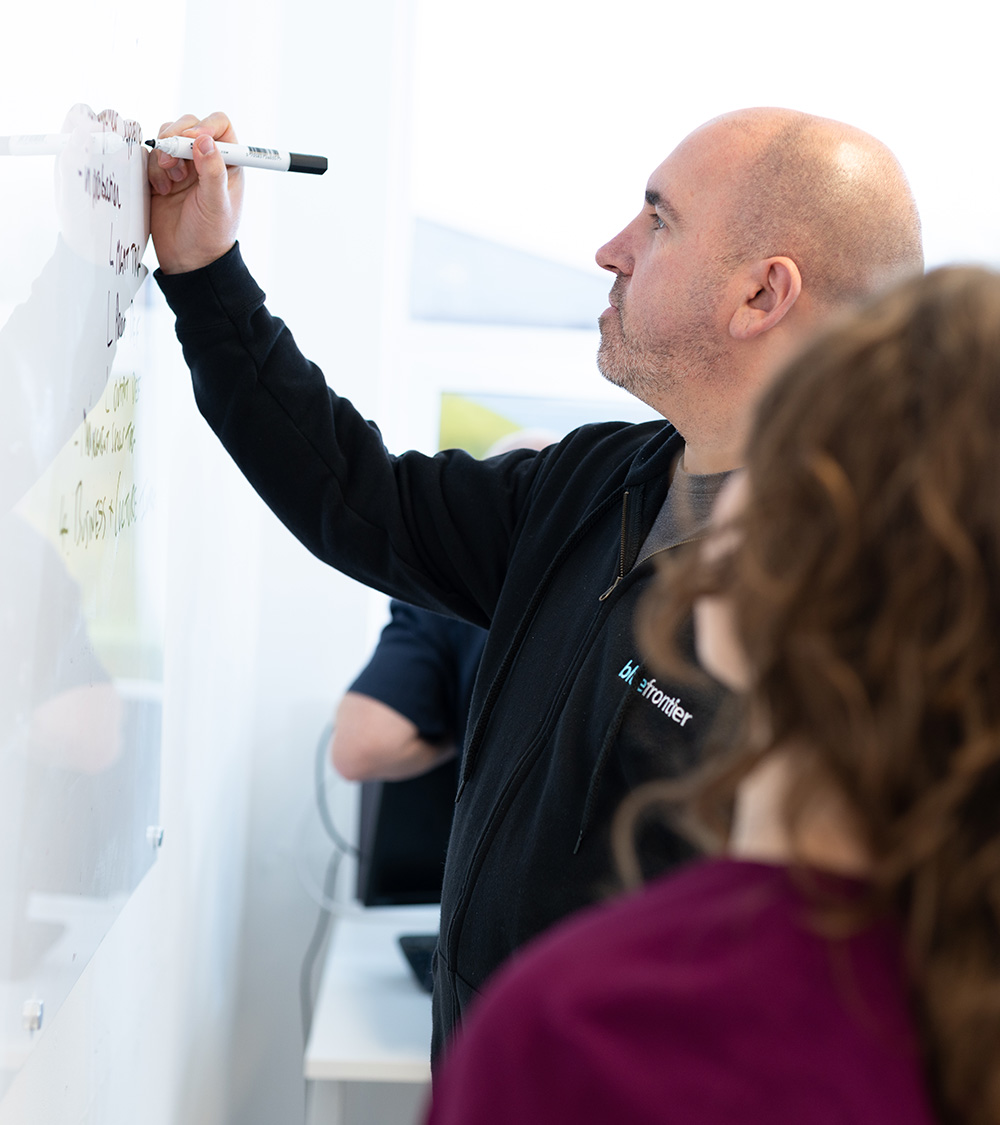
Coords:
755,230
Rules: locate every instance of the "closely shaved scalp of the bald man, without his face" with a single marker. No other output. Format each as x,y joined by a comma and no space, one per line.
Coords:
827,195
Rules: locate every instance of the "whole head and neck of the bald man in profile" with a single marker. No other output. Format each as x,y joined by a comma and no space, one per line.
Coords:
756,229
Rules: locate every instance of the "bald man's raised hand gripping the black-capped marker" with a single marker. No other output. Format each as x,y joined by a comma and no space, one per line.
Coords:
196,204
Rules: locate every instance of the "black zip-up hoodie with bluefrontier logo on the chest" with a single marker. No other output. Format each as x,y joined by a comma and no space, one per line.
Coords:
539,547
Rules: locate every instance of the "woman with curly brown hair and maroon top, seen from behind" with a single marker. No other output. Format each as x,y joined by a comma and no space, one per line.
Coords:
840,964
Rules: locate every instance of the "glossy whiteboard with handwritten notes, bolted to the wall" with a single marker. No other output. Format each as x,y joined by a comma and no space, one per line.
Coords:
82,583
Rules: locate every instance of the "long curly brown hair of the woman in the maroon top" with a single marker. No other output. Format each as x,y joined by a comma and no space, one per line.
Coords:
866,587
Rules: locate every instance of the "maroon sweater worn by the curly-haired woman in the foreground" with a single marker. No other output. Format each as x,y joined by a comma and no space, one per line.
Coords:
706,1000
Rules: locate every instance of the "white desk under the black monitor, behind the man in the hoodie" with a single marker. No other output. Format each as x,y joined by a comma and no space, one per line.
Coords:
372,1022
